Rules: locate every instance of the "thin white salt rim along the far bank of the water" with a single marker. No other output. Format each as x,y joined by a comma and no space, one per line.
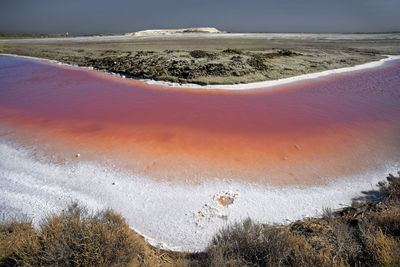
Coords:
242,86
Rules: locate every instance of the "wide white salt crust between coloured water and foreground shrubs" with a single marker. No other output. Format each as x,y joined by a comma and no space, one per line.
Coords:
165,213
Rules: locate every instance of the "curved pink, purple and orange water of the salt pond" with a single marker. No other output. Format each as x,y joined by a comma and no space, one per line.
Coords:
298,133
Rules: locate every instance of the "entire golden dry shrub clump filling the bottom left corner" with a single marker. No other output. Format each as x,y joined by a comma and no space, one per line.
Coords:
78,238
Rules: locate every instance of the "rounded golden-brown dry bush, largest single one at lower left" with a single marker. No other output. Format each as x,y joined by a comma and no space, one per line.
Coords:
82,239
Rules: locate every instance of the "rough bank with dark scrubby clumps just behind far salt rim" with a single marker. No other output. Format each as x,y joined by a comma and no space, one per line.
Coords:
219,67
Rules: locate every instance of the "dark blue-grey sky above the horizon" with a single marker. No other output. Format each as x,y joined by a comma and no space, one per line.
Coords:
119,16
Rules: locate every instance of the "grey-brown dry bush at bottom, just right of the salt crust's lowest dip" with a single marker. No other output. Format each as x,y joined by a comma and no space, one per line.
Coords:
250,244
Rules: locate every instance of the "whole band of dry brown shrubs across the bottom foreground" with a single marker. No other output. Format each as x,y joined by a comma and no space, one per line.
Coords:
365,234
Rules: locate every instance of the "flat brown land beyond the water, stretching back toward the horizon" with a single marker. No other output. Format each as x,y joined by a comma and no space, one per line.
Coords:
208,61
